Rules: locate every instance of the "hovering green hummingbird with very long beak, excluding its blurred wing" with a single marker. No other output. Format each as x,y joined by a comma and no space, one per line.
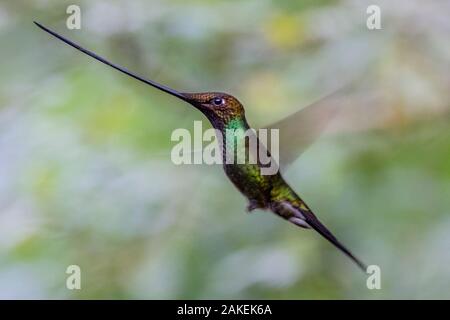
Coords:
265,192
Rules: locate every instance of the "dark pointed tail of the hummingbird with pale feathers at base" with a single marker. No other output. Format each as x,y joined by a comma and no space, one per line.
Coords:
305,219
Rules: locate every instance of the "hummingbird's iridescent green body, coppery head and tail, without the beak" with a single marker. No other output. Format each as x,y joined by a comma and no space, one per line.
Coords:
267,192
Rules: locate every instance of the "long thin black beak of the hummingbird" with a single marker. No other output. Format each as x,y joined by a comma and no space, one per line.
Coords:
117,67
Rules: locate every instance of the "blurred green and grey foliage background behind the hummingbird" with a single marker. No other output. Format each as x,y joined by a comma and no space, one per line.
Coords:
85,170
